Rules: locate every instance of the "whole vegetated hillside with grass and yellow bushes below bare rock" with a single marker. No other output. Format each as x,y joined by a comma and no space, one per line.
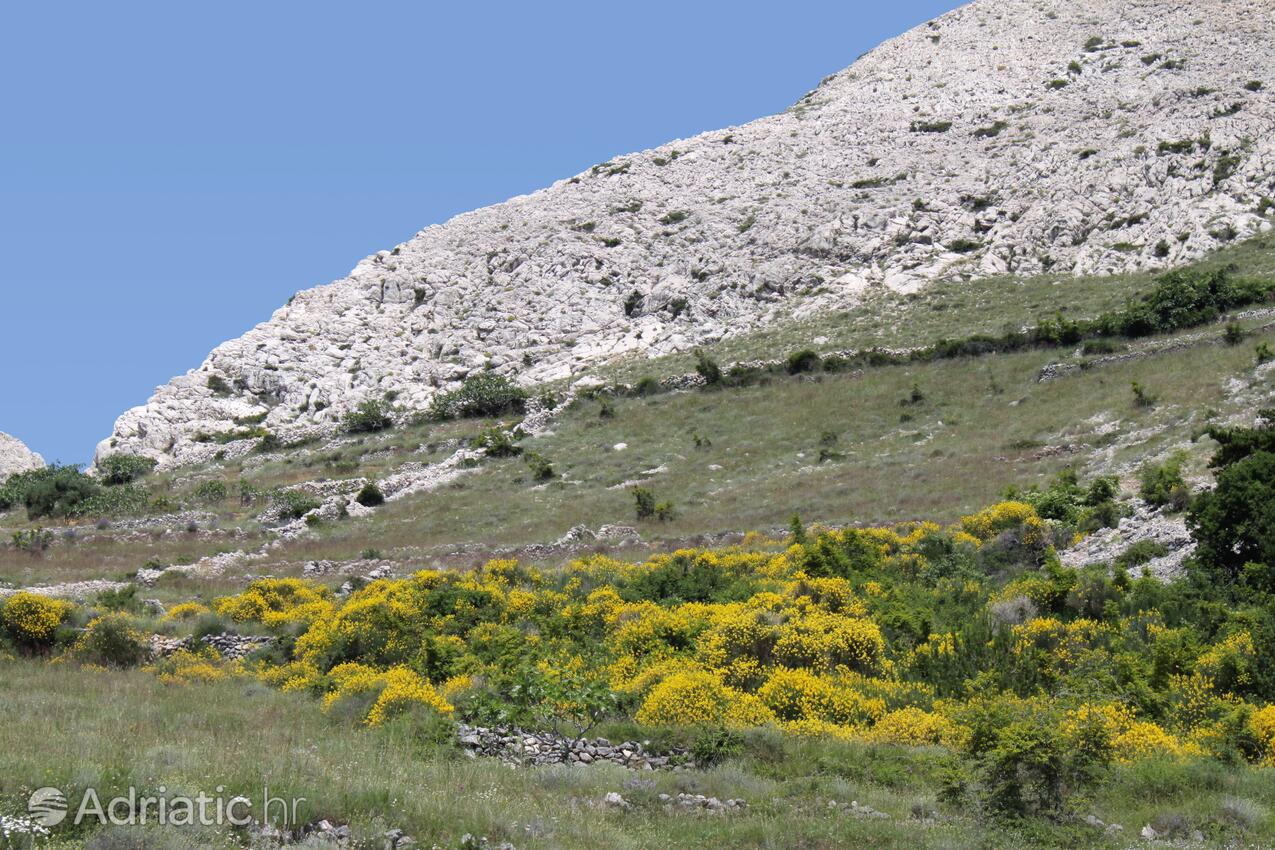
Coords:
982,695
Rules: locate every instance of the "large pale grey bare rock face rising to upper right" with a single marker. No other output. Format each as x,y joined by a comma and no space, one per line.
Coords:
1007,137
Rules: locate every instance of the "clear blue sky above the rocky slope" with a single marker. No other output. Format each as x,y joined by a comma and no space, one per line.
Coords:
171,173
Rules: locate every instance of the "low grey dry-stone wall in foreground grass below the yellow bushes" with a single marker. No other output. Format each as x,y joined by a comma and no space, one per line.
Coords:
518,747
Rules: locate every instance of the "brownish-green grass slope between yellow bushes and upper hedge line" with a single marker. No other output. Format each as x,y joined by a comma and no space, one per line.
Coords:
985,424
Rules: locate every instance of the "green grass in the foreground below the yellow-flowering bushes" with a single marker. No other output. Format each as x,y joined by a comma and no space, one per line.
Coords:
73,728
